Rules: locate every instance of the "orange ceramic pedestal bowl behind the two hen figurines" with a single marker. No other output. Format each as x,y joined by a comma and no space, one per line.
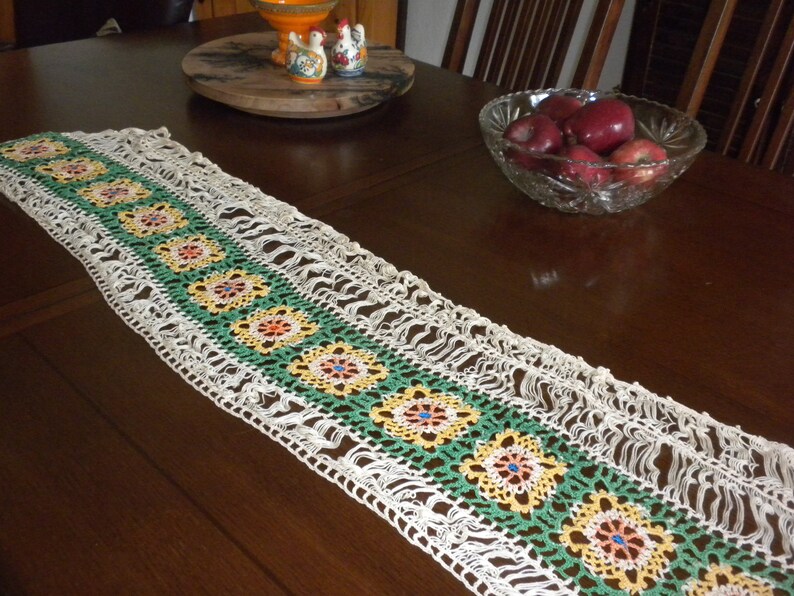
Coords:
291,15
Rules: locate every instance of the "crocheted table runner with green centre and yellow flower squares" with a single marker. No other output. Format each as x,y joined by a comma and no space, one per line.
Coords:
518,467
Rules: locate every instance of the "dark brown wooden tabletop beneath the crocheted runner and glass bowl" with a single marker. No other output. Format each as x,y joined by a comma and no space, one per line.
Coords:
115,475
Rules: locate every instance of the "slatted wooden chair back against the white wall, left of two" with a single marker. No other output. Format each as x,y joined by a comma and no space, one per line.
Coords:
526,41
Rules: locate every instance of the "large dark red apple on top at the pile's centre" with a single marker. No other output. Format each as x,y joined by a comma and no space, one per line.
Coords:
601,125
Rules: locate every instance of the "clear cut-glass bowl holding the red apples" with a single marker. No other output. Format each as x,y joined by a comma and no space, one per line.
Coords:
681,136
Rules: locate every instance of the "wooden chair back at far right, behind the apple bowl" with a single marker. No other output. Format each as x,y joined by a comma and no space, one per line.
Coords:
766,92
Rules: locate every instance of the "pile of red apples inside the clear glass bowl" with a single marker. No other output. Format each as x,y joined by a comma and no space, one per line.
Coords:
599,132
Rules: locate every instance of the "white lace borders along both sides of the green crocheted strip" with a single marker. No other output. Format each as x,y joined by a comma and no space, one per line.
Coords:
720,475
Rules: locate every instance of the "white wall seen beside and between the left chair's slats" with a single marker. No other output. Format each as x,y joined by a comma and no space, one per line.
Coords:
428,23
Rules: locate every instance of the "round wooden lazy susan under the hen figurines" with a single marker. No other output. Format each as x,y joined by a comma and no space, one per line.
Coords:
237,71
